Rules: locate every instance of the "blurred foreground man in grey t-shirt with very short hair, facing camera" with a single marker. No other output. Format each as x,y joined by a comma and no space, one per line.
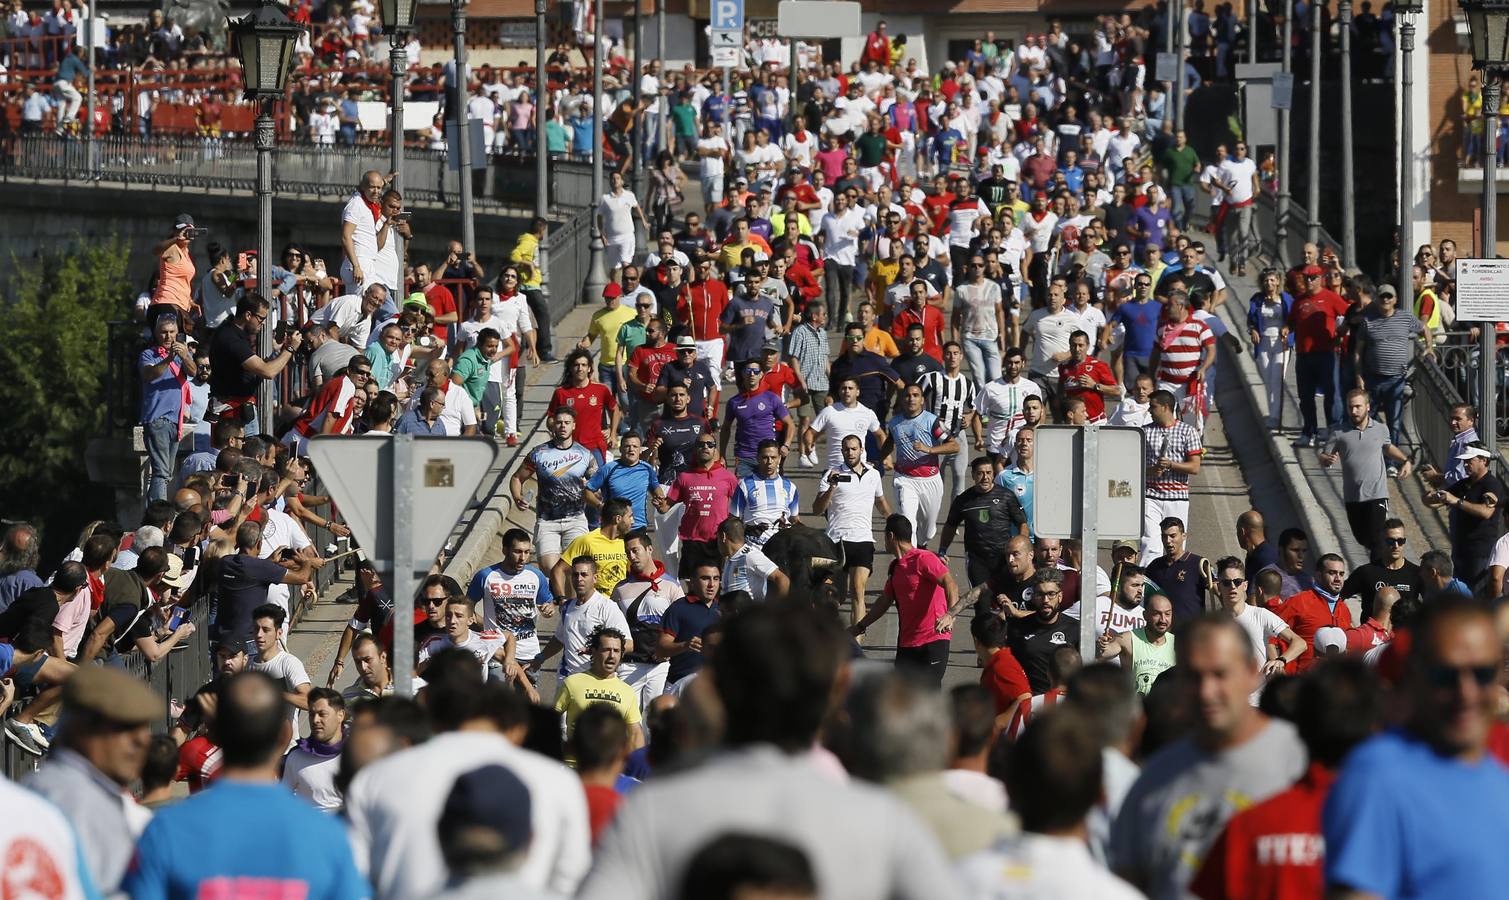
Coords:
1234,757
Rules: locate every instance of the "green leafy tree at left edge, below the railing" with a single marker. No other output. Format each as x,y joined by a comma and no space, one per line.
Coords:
54,360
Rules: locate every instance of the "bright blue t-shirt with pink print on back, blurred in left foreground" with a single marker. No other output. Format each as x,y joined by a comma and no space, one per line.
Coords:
245,840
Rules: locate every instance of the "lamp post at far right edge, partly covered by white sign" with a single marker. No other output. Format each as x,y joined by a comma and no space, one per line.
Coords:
1487,23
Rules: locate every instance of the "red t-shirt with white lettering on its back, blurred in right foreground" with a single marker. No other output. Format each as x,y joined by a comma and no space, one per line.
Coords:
1274,849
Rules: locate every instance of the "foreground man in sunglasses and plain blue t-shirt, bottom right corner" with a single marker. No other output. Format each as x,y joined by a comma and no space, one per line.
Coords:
1440,830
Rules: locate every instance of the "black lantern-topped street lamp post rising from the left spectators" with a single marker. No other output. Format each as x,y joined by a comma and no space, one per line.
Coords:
265,42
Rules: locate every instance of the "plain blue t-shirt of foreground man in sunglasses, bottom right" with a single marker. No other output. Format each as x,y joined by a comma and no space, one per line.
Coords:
1433,828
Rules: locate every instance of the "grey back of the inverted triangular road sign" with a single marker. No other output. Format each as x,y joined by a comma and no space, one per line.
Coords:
443,478
